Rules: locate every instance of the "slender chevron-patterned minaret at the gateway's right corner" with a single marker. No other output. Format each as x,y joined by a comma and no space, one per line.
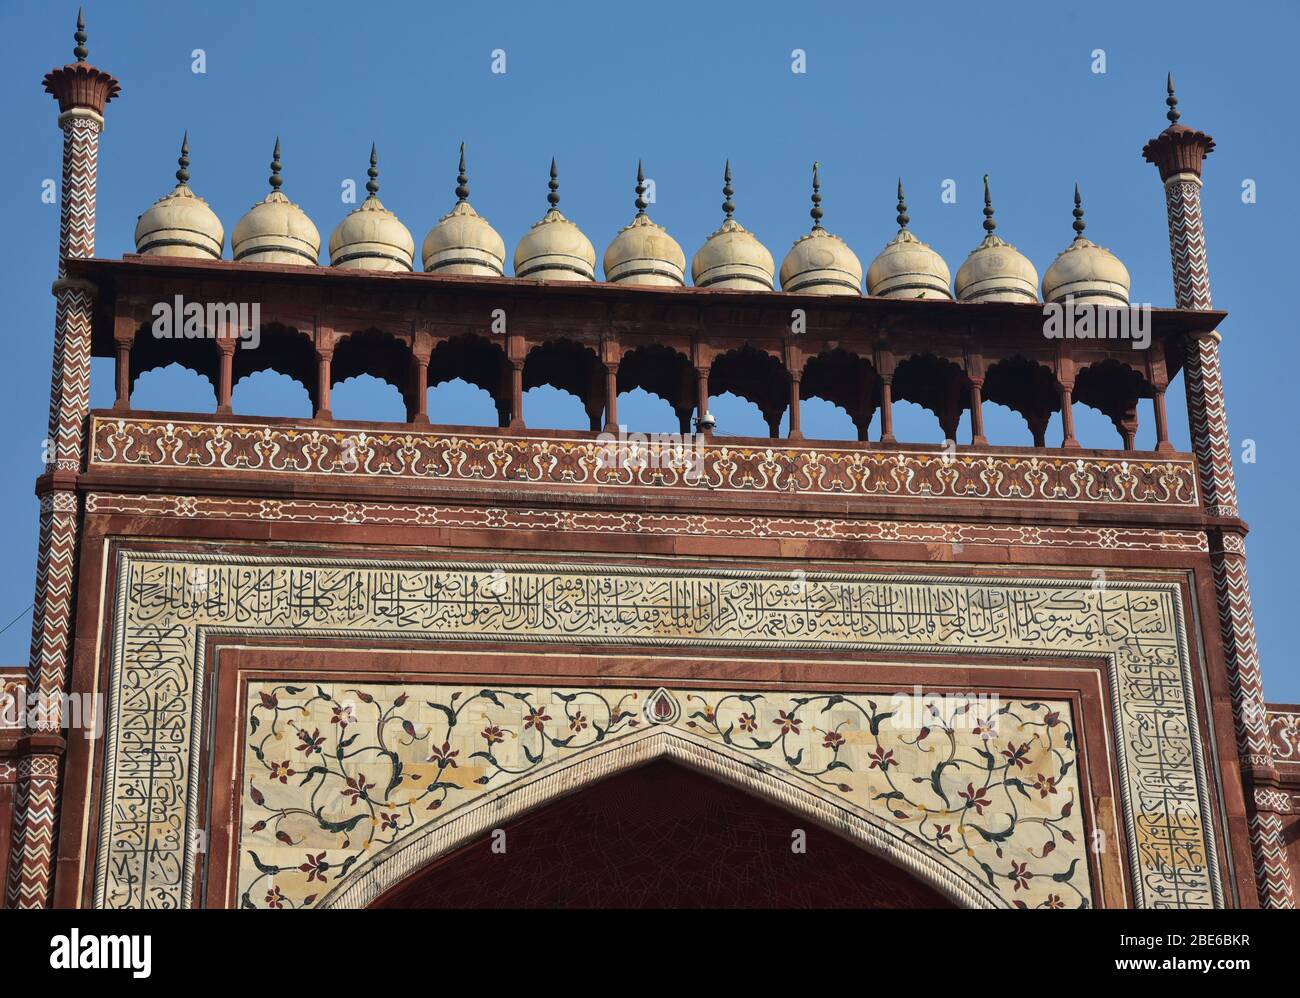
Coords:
1180,154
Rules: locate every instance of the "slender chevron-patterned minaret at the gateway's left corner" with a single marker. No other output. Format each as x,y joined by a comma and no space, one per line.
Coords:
83,93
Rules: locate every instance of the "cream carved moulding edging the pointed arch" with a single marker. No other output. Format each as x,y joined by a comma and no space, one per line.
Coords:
393,865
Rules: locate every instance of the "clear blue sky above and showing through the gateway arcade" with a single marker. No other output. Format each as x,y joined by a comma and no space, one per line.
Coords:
930,93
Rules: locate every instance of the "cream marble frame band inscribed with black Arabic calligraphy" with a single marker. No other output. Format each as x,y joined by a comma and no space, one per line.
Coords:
167,605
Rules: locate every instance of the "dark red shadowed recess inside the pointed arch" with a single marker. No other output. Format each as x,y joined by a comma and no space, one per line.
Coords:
666,836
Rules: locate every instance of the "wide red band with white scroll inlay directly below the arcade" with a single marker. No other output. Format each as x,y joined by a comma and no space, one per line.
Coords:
777,468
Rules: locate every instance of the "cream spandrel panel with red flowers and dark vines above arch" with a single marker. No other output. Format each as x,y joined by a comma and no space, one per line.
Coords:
332,774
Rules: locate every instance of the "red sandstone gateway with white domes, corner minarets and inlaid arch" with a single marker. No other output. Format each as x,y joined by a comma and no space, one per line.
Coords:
354,665
